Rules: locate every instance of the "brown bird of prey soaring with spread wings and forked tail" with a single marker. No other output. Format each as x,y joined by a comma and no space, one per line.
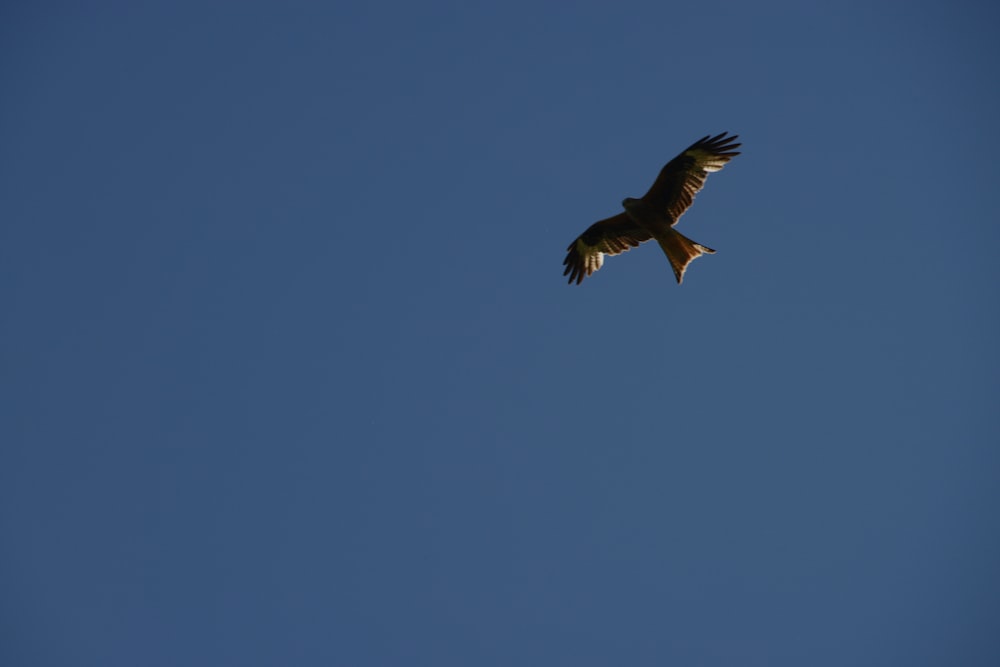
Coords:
655,214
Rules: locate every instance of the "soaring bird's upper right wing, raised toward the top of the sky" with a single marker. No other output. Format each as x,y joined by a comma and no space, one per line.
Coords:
681,179
